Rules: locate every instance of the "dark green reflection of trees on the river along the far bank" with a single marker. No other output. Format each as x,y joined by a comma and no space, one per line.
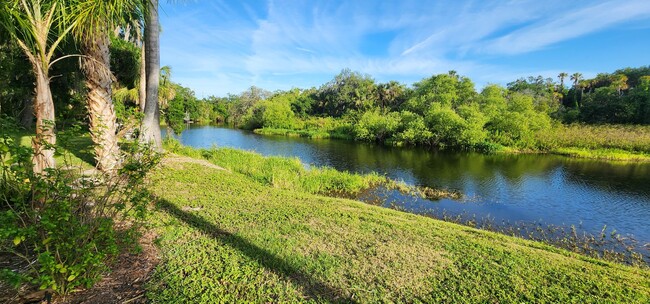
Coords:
460,170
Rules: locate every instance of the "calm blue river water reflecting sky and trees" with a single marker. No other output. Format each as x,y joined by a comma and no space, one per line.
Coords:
545,189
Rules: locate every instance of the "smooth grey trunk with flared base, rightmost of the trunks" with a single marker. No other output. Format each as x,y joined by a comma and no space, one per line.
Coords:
150,130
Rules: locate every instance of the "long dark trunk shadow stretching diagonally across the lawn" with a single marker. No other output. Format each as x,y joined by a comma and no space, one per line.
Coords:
314,288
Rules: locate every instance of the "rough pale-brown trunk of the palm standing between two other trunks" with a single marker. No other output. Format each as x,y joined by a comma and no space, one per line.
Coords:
103,122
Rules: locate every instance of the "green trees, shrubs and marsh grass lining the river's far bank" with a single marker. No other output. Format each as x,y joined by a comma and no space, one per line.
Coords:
604,118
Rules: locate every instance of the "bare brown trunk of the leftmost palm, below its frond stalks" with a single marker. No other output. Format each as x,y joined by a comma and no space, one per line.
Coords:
45,139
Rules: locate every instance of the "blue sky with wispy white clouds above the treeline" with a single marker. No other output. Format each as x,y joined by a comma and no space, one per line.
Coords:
217,47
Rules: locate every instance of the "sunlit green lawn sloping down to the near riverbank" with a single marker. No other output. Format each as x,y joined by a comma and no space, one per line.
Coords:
227,236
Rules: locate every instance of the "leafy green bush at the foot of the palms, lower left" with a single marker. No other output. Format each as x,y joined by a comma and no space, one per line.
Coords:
61,224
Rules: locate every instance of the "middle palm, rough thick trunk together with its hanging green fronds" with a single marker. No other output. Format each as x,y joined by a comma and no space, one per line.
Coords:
96,19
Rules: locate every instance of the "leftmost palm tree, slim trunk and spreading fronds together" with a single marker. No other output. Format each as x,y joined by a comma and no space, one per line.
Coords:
38,27
